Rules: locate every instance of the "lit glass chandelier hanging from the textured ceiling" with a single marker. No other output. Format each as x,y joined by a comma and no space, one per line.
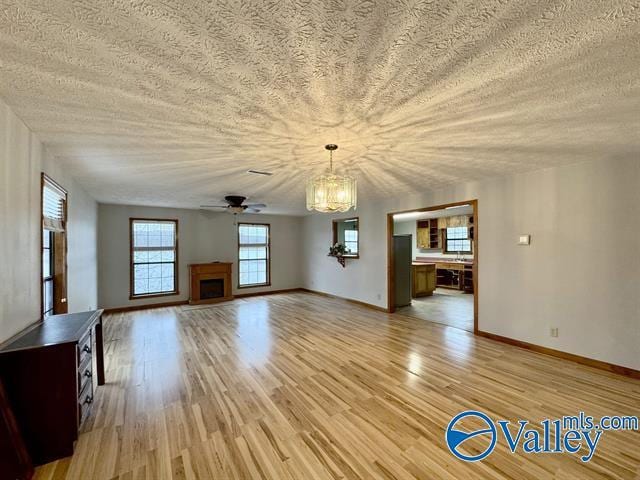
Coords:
329,192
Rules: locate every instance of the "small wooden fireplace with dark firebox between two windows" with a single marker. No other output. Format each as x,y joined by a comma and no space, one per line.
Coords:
209,282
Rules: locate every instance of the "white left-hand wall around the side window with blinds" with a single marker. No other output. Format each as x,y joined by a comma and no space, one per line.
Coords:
22,158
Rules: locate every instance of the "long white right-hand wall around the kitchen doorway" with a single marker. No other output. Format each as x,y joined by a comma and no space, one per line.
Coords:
581,272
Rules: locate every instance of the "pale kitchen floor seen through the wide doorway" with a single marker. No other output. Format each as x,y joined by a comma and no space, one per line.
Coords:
446,306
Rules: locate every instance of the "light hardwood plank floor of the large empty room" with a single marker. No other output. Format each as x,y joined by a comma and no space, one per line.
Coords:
300,386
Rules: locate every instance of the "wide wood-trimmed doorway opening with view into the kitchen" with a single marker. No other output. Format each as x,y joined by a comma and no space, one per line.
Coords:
432,256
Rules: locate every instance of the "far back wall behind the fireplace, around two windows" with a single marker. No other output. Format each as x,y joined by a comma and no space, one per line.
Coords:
202,237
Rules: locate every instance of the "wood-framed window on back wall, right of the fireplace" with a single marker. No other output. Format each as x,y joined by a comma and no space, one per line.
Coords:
253,255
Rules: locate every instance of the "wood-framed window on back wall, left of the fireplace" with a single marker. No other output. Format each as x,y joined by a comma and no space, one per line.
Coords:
154,254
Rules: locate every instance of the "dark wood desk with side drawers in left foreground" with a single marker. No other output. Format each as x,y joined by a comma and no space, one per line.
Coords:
47,372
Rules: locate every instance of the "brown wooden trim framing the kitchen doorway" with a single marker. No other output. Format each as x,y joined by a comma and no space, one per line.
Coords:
391,283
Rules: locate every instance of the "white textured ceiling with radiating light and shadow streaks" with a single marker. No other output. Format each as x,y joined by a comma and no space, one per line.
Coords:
163,102
